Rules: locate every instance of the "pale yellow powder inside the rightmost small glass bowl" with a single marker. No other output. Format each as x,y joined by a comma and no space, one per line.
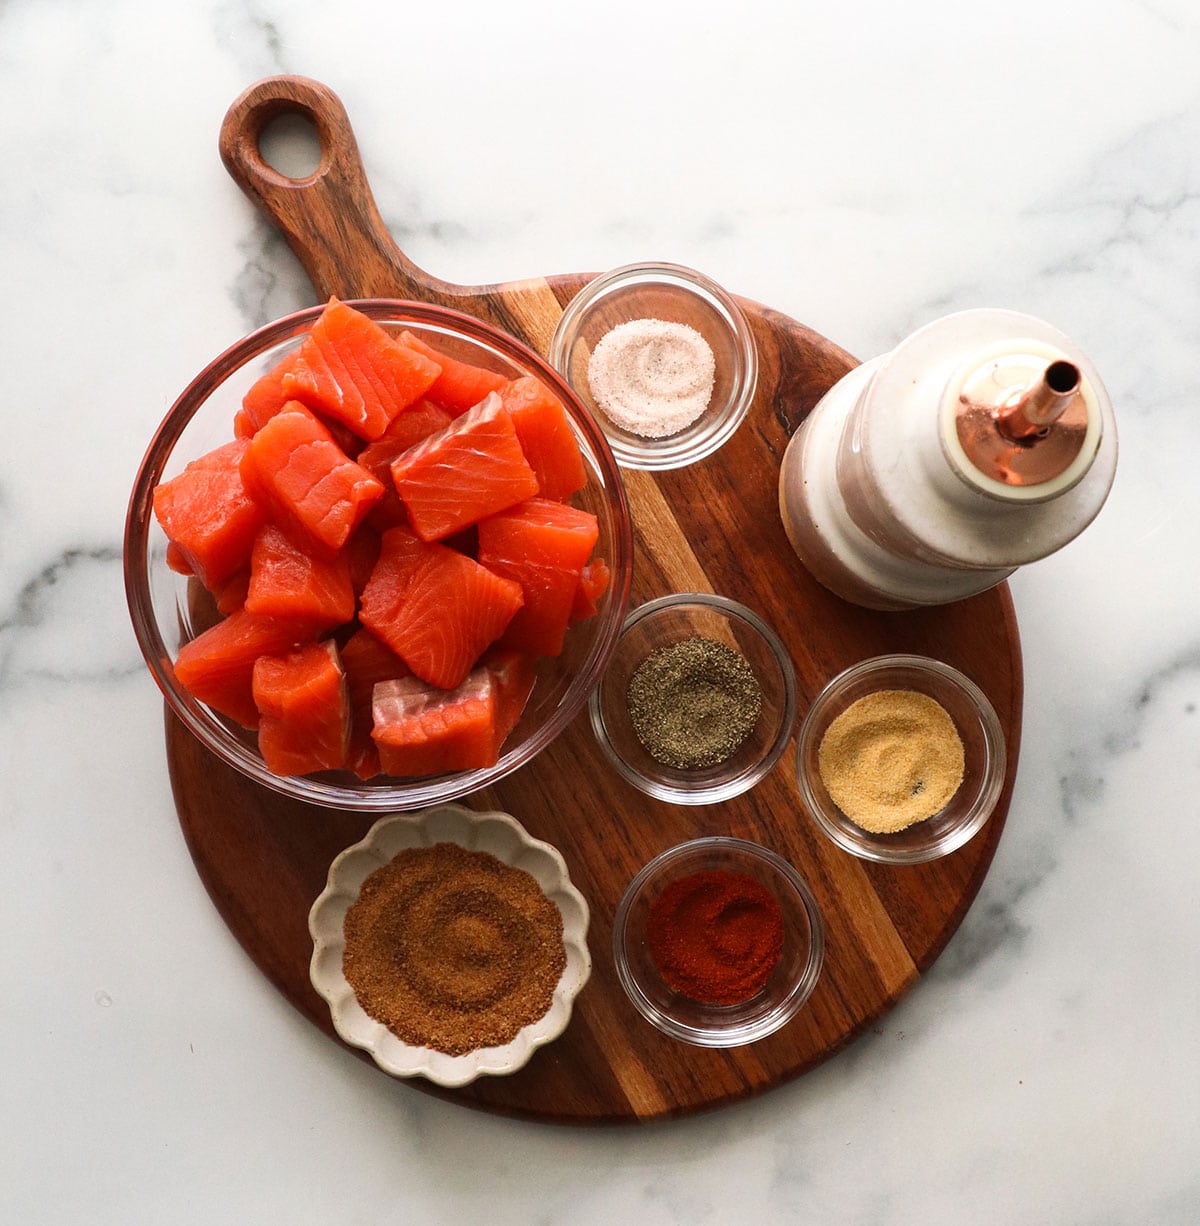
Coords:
892,760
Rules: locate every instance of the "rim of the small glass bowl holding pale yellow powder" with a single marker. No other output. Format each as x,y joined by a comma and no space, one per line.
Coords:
862,843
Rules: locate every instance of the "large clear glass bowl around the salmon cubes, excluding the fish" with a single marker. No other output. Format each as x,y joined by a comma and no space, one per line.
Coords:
169,610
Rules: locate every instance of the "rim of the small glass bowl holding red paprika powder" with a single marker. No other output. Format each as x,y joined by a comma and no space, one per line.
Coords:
797,996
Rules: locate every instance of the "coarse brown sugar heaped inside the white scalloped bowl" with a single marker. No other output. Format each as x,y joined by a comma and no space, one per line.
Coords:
452,950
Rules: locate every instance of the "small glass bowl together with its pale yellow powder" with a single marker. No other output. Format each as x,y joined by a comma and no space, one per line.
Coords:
900,760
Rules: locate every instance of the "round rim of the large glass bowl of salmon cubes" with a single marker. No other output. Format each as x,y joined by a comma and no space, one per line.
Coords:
135,561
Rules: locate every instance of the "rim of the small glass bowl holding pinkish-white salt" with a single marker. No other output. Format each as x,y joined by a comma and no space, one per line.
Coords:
718,425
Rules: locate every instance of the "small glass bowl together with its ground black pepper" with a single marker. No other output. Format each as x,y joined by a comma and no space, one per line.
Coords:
698,702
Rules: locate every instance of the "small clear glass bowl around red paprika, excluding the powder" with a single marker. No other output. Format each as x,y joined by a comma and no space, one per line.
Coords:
790,985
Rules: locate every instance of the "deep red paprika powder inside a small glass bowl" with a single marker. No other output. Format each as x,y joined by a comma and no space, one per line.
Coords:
715,936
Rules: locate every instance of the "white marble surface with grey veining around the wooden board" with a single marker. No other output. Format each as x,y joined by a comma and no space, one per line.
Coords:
862,167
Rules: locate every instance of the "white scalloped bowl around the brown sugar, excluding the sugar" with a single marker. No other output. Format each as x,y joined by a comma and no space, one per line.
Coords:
498,834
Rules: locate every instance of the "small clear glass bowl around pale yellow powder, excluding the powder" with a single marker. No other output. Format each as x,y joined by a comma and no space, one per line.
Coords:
984,751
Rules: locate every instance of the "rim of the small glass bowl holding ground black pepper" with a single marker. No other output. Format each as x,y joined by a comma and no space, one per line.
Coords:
719,788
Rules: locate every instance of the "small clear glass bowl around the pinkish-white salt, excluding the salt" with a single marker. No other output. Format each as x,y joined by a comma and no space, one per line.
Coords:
677,295
